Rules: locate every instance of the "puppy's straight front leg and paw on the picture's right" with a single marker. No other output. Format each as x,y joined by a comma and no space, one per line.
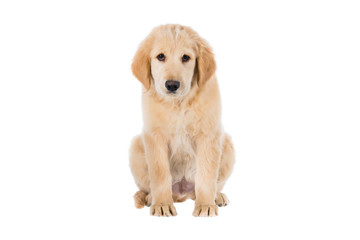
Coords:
207,167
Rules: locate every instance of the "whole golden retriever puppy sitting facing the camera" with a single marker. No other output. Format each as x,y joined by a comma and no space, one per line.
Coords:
182,152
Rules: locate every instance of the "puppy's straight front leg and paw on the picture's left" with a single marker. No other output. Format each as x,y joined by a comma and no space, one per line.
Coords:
156,150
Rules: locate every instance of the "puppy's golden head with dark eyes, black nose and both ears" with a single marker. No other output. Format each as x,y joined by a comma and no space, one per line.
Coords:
172,59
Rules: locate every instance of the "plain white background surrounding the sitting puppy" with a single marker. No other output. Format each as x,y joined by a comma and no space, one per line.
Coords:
289,74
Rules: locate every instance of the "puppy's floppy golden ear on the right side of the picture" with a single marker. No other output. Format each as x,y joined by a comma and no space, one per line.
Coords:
206,65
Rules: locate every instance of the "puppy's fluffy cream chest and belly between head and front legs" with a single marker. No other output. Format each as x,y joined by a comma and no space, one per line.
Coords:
181,124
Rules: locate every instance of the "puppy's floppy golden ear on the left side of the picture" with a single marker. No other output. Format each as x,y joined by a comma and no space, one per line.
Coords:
141,63
